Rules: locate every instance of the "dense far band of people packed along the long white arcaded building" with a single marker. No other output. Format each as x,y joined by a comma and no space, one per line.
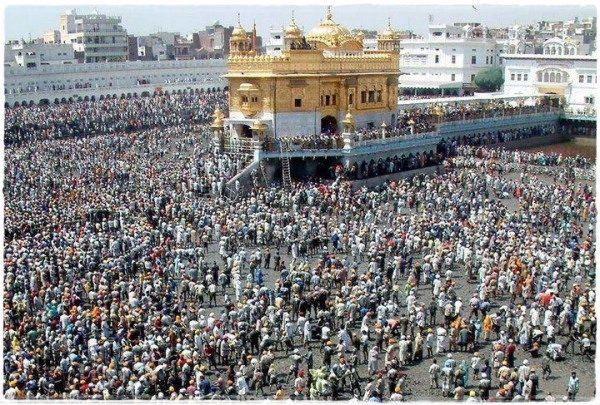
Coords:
109,116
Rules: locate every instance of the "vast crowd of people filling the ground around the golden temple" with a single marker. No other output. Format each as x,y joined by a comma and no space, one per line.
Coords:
130,275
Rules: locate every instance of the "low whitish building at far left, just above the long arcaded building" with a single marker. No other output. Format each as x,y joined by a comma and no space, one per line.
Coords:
34,55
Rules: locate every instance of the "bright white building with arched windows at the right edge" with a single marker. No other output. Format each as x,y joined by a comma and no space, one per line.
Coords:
571,76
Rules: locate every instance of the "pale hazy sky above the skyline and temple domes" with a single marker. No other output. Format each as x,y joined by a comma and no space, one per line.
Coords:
25,21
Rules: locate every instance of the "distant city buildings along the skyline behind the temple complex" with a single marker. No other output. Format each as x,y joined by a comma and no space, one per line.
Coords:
98,37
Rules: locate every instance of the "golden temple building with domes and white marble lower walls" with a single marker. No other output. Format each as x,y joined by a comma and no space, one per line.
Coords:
320,81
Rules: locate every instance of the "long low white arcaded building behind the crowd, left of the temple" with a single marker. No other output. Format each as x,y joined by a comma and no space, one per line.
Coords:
56,83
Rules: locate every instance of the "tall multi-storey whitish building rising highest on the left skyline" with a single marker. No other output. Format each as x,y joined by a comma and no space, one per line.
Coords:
95,37
